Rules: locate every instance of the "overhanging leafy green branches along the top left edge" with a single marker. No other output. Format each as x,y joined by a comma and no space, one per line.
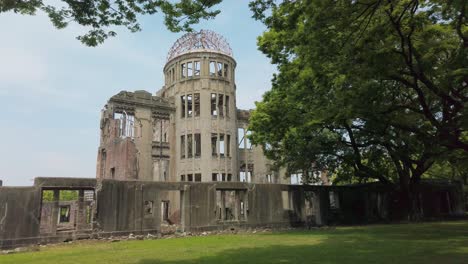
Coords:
101,17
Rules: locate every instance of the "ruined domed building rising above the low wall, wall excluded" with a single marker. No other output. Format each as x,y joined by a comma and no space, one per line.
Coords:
191,130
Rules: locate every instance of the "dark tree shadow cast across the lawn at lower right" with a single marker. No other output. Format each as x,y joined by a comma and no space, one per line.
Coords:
377,244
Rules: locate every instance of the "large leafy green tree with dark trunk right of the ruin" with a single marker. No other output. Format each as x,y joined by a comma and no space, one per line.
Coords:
374,89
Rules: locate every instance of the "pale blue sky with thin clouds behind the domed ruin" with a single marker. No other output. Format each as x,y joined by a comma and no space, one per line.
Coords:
52,87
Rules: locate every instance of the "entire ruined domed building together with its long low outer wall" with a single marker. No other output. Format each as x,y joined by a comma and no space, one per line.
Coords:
180,161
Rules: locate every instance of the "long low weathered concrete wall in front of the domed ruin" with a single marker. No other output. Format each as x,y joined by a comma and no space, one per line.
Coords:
142,207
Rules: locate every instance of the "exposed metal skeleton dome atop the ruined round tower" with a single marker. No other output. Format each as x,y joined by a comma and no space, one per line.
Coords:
199,41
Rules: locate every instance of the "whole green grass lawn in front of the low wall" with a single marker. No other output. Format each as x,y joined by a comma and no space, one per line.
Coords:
440,242
